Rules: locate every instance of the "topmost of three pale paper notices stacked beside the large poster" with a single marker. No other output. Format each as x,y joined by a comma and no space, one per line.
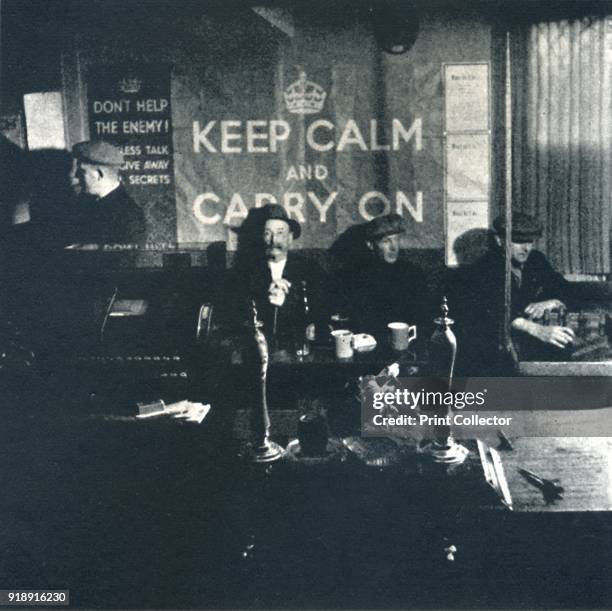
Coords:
466,88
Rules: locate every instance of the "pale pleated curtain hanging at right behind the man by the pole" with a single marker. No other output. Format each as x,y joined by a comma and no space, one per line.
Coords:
562,120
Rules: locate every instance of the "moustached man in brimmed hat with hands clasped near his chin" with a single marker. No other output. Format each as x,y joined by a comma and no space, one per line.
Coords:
269,273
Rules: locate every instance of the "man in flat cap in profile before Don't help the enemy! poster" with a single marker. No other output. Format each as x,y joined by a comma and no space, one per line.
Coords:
109,215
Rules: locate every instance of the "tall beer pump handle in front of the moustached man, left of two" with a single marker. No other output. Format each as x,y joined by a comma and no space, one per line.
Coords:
261,449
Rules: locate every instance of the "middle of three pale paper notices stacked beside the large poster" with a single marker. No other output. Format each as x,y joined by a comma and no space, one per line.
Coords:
467,167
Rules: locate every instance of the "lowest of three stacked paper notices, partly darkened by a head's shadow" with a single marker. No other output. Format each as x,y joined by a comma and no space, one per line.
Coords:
466,231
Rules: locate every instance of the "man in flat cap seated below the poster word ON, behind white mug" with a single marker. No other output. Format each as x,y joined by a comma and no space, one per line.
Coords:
385,289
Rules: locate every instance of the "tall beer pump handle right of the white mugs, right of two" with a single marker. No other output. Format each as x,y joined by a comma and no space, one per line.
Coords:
443,352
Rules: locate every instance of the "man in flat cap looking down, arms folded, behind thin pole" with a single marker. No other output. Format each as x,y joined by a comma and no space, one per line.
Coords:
537,289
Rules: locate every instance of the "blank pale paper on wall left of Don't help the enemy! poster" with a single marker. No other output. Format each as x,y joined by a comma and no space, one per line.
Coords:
44,120
